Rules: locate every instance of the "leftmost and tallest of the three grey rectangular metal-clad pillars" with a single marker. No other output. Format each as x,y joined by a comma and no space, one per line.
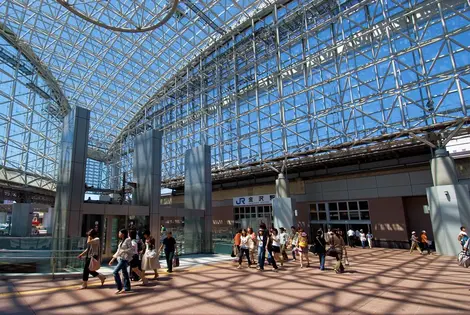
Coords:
71,180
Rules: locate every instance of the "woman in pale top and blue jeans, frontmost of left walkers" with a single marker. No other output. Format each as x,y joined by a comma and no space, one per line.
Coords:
123,255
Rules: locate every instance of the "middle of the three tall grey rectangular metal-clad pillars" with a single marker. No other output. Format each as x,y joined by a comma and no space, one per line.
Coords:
147,175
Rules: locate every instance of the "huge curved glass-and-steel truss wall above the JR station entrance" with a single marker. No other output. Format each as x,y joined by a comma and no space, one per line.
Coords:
309,76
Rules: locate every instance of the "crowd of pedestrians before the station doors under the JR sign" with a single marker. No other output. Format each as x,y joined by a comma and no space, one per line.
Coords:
271,247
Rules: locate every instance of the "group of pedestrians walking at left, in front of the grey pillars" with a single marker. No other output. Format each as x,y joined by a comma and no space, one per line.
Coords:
132,255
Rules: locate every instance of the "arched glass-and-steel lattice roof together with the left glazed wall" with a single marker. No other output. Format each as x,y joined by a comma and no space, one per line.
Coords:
110,73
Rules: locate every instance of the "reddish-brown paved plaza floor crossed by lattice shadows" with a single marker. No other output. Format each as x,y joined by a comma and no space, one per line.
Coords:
378,281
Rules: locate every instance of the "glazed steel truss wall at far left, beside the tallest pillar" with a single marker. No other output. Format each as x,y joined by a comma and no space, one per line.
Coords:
31,109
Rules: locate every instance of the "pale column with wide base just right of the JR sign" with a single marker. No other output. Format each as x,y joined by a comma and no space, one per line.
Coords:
283,205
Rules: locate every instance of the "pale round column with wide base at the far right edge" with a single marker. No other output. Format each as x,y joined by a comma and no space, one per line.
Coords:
449,203
